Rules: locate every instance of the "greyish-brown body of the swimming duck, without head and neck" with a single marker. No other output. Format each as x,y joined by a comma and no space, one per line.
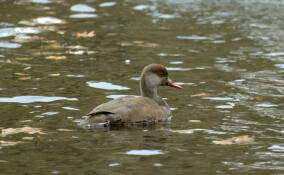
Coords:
130,110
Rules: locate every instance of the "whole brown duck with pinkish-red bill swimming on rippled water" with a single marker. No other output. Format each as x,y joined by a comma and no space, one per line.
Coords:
147,108
